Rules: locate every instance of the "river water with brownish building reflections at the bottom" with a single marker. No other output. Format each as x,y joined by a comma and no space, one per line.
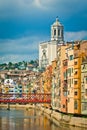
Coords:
29,120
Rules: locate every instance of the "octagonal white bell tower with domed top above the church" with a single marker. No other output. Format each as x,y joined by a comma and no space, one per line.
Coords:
57,32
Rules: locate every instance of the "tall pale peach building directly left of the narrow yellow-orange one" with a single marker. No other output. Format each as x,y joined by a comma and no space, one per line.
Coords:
70,78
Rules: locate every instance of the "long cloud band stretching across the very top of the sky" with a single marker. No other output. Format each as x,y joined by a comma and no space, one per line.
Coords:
31,8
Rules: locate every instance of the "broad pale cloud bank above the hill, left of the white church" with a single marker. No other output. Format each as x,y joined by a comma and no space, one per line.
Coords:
23,48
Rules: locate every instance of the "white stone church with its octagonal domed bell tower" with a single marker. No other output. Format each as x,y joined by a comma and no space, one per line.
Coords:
48,50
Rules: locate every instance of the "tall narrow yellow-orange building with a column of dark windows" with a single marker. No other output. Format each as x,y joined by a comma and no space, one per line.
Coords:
77,80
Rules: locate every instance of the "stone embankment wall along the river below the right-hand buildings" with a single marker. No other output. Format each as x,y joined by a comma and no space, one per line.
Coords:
66,119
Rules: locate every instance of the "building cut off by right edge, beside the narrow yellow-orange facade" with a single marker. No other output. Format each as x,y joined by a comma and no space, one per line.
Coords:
84,77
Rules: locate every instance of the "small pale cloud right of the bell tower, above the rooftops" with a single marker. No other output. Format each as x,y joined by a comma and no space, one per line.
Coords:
75,35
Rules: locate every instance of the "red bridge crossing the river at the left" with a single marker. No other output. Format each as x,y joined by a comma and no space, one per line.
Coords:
25,98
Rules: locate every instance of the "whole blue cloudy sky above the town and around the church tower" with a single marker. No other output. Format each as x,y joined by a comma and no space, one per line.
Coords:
26,23
